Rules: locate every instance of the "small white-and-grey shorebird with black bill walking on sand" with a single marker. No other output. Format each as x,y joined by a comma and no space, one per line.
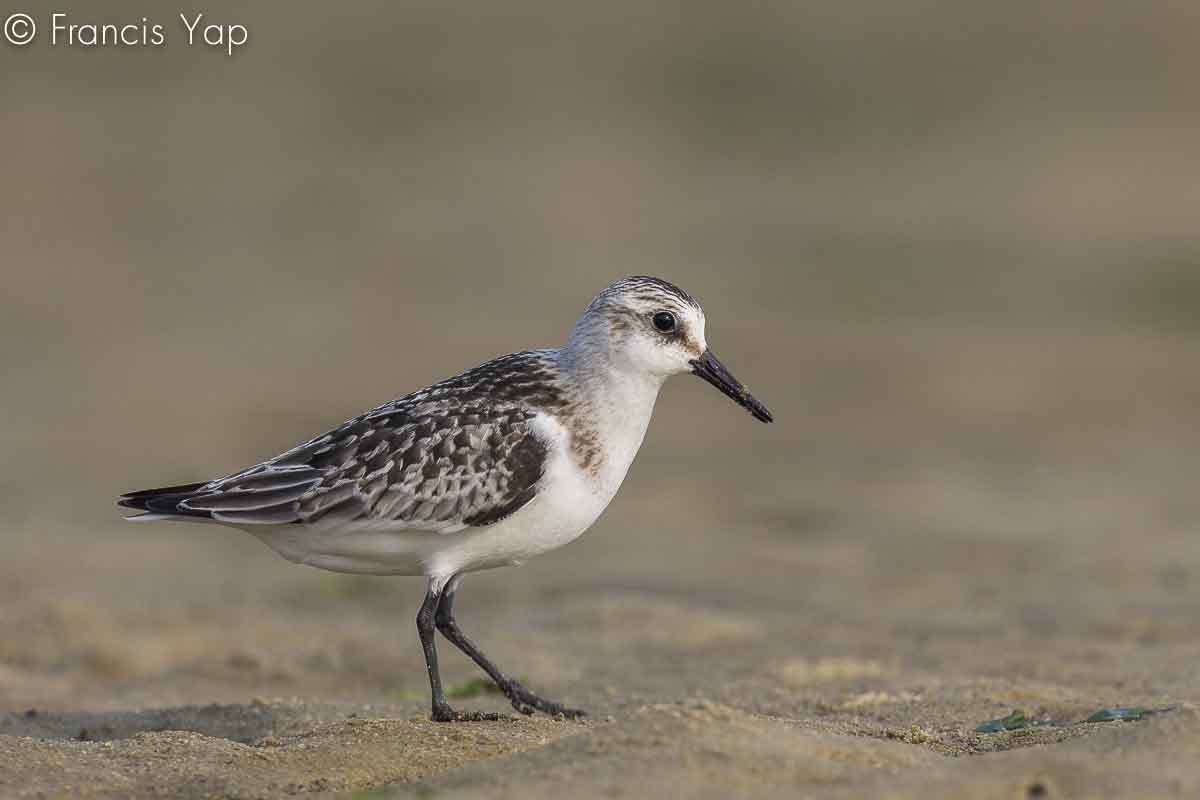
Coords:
487,470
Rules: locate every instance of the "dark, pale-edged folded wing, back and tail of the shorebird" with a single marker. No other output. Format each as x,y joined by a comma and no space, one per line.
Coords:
459,454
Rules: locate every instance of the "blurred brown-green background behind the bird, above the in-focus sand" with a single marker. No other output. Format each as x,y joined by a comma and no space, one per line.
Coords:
953,246
